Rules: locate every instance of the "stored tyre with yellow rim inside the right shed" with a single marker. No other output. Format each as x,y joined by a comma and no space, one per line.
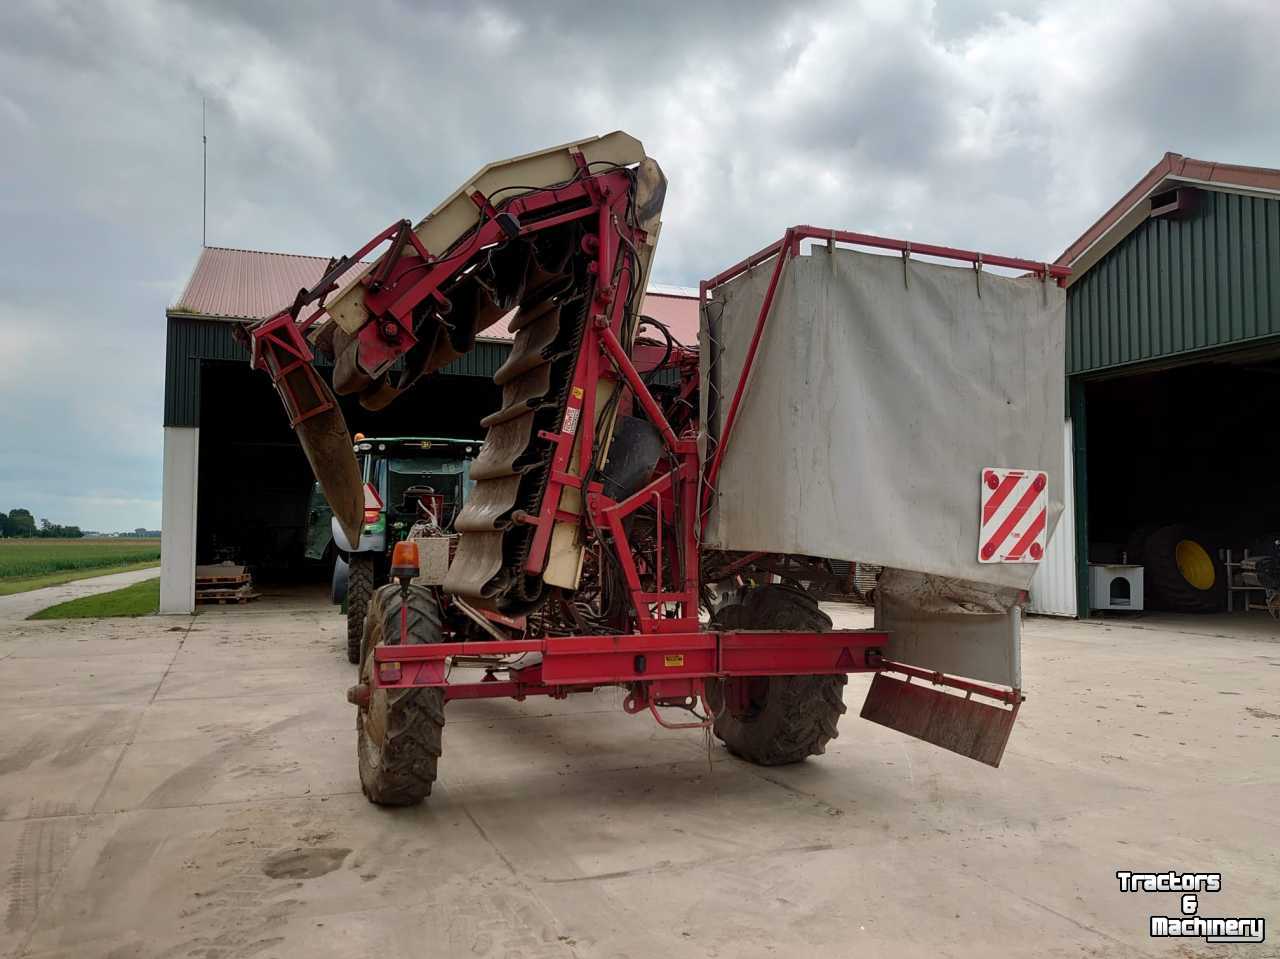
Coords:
1182,572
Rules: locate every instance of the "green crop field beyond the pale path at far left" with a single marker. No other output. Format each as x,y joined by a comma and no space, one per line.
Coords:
31,564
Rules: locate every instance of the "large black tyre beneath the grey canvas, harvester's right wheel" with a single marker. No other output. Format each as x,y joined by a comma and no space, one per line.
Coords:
781,719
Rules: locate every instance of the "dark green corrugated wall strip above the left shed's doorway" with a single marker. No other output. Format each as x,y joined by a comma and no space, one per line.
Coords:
193,341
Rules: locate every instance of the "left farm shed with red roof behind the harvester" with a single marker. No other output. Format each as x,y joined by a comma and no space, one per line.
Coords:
236,482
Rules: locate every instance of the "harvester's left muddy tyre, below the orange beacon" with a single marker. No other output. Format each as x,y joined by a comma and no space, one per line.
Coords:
400,733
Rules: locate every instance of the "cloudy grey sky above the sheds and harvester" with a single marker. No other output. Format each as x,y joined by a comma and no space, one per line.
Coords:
1004,125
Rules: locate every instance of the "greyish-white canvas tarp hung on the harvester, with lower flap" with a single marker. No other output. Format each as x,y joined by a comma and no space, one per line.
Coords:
881,391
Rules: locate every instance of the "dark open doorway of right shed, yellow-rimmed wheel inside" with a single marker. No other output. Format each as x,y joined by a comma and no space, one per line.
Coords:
1183,465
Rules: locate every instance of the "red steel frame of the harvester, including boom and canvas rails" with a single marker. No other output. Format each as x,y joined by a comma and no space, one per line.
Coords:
670,656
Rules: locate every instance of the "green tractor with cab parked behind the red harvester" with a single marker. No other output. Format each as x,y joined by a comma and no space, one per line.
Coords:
409,481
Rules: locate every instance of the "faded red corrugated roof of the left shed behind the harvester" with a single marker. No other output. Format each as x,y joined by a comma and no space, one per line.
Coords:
250,285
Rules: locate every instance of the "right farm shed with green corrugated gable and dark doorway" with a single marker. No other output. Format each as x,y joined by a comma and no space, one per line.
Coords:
1173,360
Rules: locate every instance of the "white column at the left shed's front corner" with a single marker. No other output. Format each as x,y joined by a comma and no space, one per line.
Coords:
179,520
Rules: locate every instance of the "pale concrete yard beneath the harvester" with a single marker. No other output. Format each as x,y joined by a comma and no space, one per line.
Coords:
188,788
